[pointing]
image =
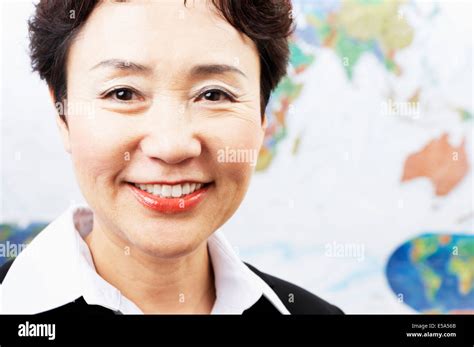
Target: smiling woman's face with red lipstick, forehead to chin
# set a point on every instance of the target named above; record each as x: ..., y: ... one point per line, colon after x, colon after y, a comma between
x: 159, y: 94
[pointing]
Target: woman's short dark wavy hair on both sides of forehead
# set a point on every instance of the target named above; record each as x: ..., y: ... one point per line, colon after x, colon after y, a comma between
x: 268, y: 23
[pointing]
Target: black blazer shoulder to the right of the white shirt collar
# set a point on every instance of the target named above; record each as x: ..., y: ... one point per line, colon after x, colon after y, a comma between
x: 296, y: 299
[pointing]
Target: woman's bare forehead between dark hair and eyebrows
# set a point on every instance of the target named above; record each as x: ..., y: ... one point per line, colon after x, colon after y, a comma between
x: 165, y: 33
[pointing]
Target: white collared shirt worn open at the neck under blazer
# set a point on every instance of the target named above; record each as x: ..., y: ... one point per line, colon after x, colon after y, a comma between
x: 57, y: 268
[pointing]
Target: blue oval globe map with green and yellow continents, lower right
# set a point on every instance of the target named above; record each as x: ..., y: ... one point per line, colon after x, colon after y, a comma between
x: 435, y: 273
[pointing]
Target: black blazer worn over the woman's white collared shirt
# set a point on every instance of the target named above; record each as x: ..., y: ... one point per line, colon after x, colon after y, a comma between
x: 296, y: 299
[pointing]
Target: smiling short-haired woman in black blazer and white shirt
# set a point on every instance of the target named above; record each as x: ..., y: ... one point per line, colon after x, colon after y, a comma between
x: 149, y: 95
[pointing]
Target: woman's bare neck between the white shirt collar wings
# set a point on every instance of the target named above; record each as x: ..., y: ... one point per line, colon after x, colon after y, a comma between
x: 156, y: 285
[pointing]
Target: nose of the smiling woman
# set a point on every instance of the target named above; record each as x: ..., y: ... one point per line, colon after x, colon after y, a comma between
x: 170, y: 135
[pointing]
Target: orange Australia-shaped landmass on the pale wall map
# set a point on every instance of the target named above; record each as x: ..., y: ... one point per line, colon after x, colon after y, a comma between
x: 443, y: 164
